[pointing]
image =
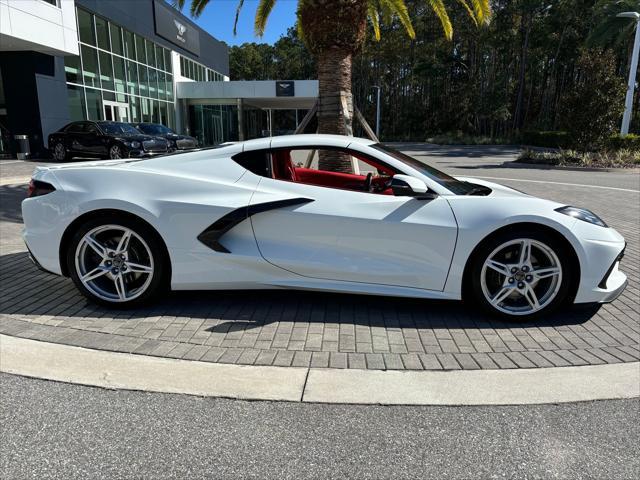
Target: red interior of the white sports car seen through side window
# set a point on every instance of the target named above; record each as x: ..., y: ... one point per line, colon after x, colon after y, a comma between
x: 283, y: 169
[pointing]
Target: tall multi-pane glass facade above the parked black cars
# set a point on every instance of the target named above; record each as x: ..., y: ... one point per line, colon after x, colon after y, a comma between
x: 119, y: 75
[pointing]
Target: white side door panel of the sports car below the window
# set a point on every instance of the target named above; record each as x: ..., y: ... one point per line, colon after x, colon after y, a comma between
x: 356, y: 236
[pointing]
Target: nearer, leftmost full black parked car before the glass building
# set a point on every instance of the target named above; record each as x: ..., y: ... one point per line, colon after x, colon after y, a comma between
x: 103, y: 140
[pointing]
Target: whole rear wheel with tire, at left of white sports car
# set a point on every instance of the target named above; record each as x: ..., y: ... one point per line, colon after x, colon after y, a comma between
x: 117, y: 262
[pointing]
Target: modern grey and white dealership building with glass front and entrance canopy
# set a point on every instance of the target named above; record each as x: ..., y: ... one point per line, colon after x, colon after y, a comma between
x: 133, y: 61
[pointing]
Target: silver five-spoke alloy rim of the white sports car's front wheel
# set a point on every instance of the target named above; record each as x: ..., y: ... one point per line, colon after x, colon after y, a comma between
x: 521, y: 276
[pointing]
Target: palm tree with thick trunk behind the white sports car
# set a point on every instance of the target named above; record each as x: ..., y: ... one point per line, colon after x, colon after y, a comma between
x: 333, y: 31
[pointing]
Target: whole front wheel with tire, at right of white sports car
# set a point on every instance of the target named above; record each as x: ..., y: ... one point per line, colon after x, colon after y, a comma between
x: 521, y: 275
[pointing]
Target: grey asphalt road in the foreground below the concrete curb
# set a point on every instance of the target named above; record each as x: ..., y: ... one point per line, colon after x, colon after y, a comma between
x: 55, y: 430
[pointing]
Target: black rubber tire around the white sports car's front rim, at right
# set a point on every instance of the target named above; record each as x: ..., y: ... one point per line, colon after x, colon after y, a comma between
x: 474, y: 295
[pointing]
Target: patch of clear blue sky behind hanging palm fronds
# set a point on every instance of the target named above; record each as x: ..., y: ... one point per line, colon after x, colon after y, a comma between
x: 217, y: 19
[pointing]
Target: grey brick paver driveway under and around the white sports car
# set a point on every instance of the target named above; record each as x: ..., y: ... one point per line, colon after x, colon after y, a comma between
x: 343, y: 331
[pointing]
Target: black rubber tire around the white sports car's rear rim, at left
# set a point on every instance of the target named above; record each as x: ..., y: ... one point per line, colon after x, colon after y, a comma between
x: 159, y: 282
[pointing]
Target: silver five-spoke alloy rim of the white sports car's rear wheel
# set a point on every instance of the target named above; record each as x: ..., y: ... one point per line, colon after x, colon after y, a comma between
x: 114, y: 263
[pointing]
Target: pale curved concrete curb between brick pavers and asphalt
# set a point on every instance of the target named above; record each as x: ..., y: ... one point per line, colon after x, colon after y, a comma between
x: 482, y: 387
